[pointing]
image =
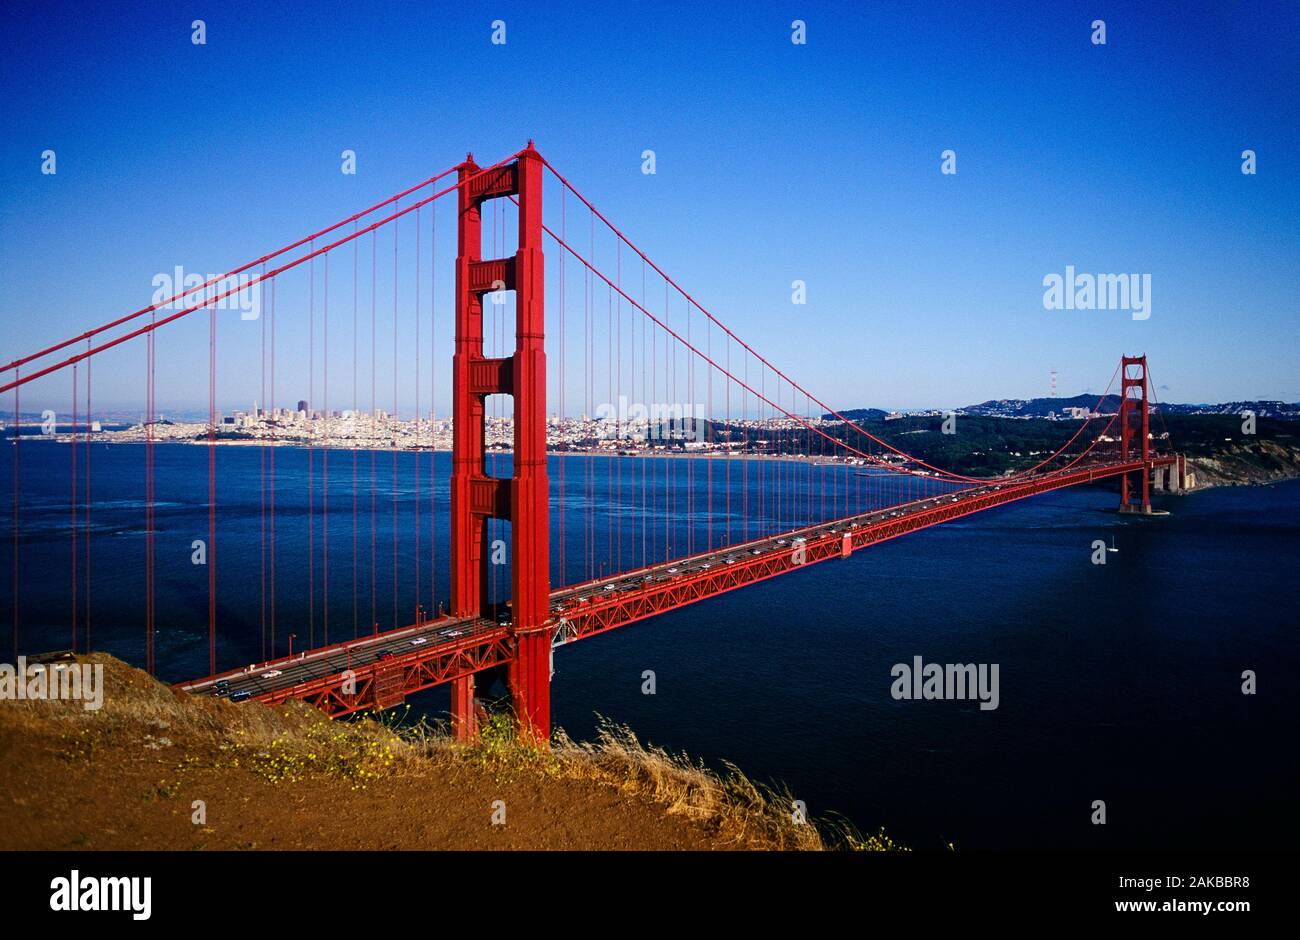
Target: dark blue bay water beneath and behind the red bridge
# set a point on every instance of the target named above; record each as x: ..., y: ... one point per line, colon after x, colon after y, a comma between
x: 1117, y: 683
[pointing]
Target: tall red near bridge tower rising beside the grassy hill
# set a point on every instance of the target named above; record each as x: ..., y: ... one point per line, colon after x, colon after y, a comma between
x: 522, y: 499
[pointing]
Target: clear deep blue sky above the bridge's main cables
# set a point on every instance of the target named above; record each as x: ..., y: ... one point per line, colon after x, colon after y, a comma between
x: 775, y: 162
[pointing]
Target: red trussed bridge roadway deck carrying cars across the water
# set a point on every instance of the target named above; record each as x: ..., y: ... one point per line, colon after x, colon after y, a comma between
x: 380, y: 670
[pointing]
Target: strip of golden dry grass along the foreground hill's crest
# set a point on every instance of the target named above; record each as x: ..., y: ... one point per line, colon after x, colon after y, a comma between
x: 294, y: 742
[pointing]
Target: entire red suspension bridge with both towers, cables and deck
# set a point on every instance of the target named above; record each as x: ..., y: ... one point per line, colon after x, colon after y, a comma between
x: 722, y: 474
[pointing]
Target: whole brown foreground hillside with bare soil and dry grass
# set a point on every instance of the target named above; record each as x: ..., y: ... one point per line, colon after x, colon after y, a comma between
x: 128, y: 777
